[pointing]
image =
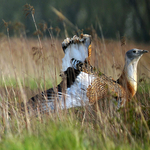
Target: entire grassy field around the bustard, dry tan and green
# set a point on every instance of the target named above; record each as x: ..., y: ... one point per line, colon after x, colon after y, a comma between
x: 26, y: 69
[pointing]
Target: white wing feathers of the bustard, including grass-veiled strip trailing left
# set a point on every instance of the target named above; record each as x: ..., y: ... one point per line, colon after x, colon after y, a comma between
x: 74, y: 96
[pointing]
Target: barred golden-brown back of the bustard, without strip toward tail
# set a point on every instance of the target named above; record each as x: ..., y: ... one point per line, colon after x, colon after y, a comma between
x: 105, y: 87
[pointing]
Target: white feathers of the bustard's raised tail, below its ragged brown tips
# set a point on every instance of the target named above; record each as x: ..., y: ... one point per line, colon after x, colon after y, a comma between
x: 77, y: 51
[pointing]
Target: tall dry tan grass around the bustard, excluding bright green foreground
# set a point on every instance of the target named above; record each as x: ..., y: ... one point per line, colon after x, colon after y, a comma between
x: 22, y: 76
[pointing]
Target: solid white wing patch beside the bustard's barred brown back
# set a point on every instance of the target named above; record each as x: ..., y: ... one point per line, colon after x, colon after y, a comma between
x: 76, y: 94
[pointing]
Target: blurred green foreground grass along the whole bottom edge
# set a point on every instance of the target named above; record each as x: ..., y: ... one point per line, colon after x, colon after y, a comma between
x: 63, y: 135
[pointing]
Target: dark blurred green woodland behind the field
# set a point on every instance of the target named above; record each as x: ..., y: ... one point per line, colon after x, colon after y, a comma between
x: 110, y: 18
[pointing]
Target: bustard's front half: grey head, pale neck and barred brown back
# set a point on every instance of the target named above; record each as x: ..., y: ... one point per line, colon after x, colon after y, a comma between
x: 124, y: 88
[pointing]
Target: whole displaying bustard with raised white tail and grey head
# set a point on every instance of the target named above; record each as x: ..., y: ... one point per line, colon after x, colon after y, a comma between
x: 80, y: 86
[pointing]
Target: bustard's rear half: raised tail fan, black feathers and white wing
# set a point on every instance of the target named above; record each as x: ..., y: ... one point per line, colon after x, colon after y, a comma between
x: 74, y: 82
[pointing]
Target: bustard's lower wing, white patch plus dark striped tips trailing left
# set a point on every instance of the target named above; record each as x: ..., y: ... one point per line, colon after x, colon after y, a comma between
x: 73, y: 96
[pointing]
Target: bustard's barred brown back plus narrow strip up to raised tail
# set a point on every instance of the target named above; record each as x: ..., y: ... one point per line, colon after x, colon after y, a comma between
x: 102, y: 86
